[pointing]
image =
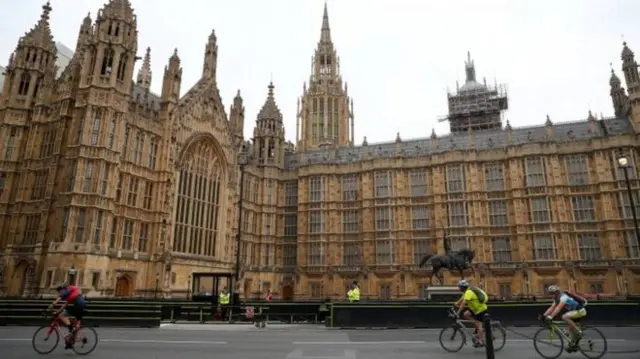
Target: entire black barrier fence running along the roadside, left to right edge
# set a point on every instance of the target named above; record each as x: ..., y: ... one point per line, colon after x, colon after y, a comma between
x: 400, y: 314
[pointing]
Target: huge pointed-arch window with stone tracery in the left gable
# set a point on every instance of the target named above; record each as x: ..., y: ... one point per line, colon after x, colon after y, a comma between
x: 199, y: 201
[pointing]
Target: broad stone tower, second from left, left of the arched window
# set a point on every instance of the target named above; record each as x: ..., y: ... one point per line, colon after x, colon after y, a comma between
x: 92, y: 184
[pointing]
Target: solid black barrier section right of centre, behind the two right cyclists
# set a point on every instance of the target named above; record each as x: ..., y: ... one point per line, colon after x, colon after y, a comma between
x: 434, y: 315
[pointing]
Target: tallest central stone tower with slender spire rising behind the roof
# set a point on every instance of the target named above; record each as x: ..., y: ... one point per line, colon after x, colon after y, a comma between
x: 325, y: 111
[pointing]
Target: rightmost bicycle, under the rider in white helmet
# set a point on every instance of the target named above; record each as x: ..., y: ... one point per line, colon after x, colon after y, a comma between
x: 557, y: 336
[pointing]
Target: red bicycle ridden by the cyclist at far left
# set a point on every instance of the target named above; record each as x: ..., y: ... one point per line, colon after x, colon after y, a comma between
x: 86, y: 336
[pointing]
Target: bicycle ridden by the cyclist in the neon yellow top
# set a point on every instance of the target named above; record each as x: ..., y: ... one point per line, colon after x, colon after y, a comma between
x: 460, y: 327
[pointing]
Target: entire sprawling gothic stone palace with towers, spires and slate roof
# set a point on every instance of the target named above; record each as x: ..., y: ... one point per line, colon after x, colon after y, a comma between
x: 102, y: 176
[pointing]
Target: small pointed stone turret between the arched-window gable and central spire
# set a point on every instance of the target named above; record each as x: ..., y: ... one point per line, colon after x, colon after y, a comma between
x: 268, y: 135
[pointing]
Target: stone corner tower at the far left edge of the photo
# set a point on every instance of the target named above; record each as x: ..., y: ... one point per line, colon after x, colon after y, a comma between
x: 29, y: 77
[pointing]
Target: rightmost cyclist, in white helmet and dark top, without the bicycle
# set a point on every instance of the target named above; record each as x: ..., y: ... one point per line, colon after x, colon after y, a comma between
x: 572, y: 306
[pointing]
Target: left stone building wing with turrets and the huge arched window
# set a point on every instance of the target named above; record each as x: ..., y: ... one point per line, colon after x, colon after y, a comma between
x: 129, y: 190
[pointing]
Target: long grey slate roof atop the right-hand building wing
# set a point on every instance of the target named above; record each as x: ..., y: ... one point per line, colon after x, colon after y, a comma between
x: 563, y: 132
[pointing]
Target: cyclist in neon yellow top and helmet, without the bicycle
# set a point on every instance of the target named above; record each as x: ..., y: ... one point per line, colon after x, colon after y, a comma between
x: 474, y: 300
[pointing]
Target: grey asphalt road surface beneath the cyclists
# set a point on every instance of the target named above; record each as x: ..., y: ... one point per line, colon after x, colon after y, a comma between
x: 193, y: 341
